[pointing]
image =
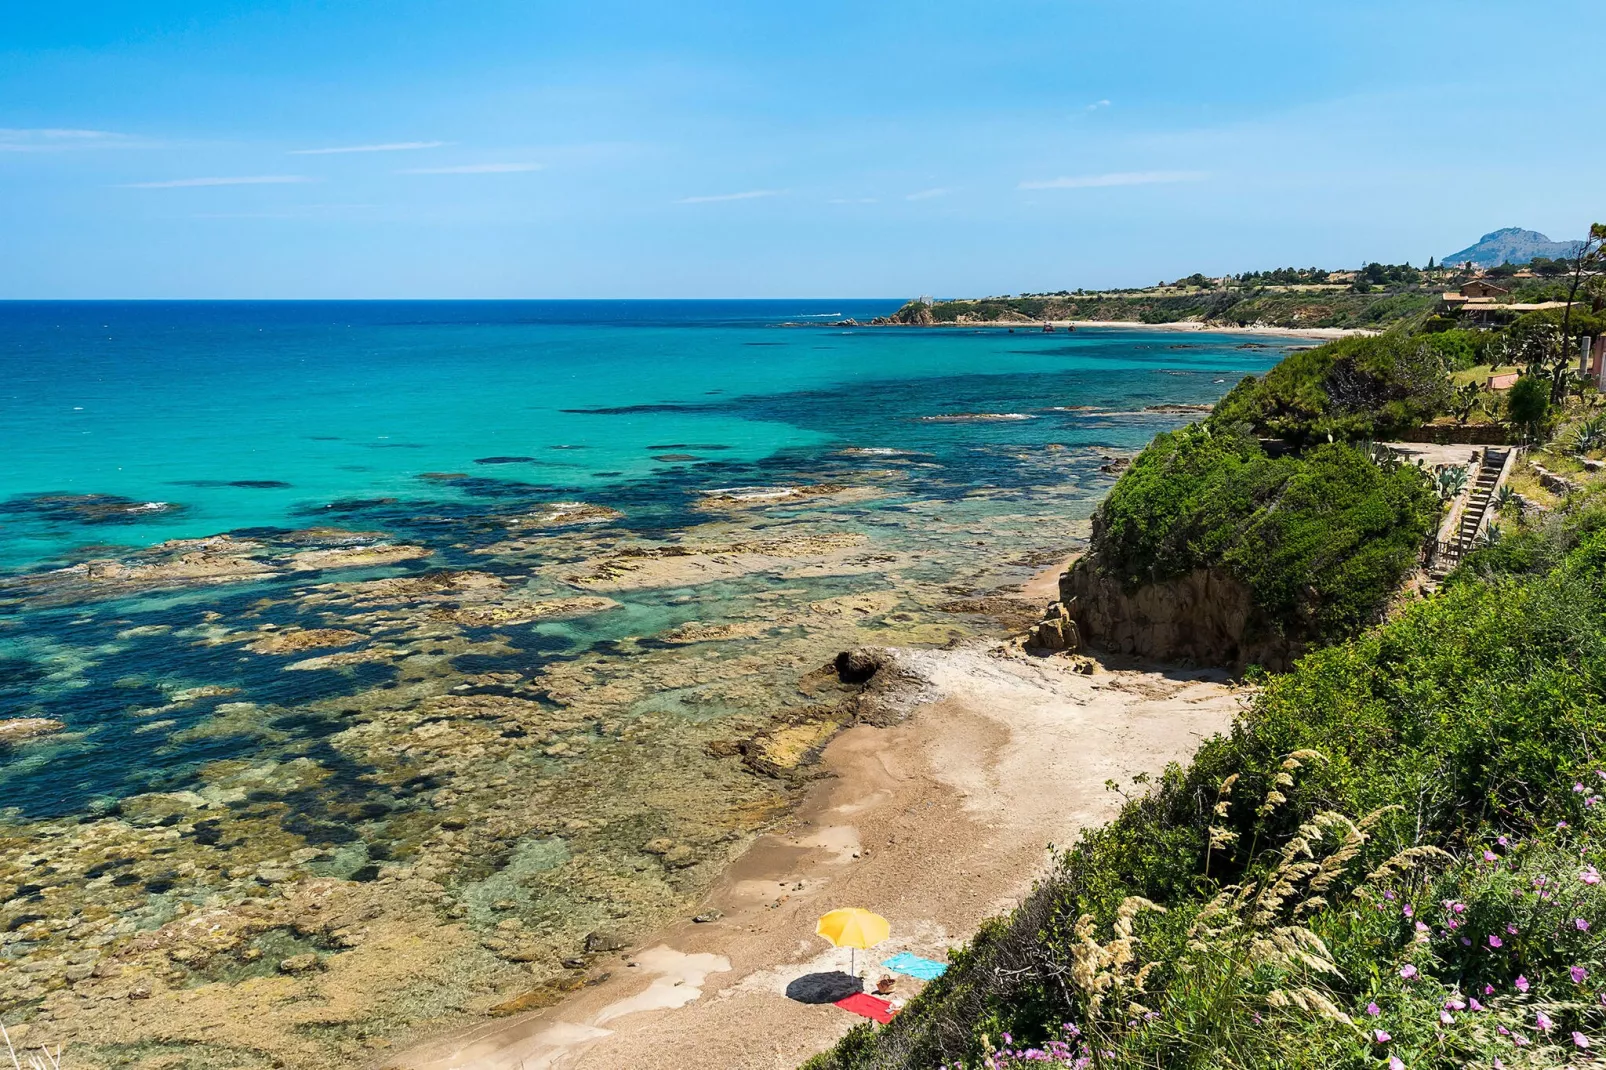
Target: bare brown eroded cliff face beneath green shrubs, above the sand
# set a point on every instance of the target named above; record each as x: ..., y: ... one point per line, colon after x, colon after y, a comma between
x: 1204, y: 619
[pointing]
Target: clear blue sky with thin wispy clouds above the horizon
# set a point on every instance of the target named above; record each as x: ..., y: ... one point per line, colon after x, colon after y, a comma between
x: 523, y: 149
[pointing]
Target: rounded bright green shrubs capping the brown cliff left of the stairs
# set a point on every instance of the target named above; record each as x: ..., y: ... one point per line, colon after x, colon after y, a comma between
x: 1321, y: 541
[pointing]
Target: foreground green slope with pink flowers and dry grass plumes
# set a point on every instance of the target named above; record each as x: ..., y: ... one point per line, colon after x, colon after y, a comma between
x: 1393, y: 860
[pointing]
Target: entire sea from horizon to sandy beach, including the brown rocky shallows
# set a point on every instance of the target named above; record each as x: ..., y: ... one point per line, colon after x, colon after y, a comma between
x: 420, y: 688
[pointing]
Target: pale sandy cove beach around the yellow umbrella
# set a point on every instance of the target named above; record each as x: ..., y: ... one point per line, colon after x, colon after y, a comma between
x: 937, y: 823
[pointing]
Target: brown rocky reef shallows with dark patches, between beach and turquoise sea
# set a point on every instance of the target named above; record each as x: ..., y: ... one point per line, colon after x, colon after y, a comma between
x: 338, y: 786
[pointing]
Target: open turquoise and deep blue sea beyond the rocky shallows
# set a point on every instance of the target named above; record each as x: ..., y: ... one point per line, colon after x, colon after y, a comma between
x: 238, y: 415
